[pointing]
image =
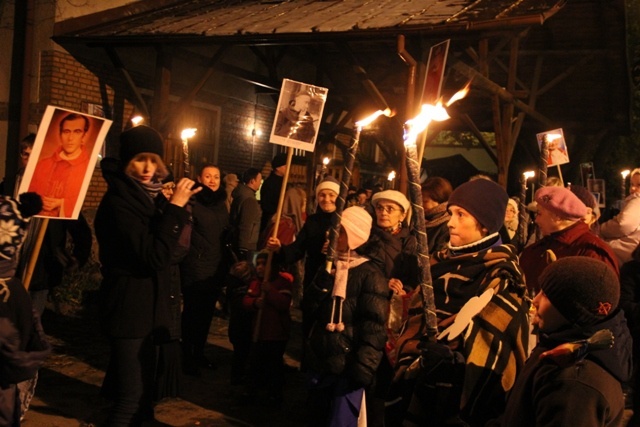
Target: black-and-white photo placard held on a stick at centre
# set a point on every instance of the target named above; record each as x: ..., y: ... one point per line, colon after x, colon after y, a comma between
x: 298, y: 116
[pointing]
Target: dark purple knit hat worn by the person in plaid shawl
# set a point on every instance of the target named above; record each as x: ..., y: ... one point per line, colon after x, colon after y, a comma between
x: 484, y: 199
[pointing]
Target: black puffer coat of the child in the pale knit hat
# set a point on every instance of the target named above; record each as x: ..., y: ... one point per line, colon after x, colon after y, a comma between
x: 356, y: 352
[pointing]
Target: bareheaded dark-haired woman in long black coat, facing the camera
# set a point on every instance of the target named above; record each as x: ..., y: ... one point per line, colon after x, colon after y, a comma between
x: 204, y: 269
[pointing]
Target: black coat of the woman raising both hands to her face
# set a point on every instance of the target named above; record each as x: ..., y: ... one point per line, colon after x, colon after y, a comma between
x: 137, y: 236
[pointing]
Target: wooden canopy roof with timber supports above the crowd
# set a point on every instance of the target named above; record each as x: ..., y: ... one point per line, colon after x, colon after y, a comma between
x: 534, y: 64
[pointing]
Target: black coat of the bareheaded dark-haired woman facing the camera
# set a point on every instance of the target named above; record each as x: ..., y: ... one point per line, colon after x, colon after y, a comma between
x: 205, y: 259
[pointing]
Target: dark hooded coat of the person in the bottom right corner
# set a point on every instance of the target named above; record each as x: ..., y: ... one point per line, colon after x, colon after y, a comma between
x: 585, y: 393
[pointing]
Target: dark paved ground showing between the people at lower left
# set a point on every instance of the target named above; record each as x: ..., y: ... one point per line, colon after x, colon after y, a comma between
x: 67, y: 394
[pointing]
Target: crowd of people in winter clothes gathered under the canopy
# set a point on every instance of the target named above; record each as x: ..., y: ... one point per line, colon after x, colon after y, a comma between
x: 495, y: 328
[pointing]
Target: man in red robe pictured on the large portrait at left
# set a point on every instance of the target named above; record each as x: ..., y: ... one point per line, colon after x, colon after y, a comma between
x: 58, y: 178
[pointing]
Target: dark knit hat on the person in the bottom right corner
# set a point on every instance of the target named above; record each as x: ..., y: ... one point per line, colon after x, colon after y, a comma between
x: 583, y: 289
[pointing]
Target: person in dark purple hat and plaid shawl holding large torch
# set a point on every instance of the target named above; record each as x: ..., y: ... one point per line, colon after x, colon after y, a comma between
x: 482, y: 312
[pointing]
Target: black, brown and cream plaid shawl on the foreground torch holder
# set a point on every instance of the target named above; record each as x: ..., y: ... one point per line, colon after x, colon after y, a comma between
x: 494, y: 345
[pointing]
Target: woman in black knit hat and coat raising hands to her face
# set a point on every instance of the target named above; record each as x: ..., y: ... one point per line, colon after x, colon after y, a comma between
x: 137, y: 231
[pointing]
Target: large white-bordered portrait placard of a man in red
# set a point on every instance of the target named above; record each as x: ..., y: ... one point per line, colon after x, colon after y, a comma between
x: 62, y: 160
